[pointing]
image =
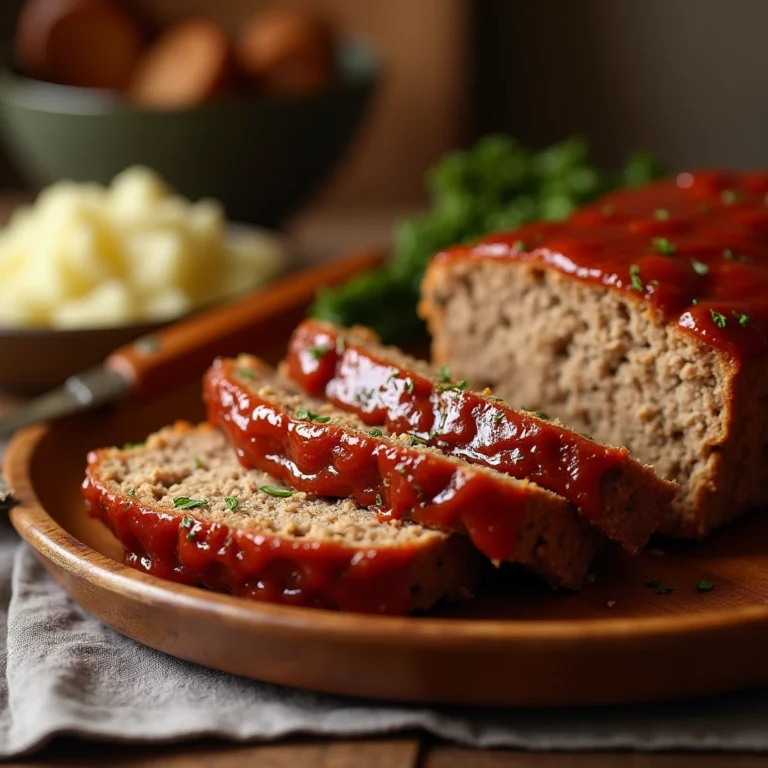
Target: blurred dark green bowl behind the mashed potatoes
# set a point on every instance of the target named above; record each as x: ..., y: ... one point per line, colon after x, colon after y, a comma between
x: 261, y: 157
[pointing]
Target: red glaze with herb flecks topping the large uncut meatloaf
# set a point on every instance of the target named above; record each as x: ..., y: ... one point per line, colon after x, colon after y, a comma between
x: 718, y: 225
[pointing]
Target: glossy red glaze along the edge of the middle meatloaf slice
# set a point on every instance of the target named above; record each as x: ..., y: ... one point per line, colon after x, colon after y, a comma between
x: 330, y: 460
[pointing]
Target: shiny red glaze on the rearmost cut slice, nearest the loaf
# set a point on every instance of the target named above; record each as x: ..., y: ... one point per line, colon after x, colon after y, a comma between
x: 478, y: 428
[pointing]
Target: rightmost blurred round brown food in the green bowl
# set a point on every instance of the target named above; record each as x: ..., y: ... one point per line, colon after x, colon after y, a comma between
x: 286, y: 52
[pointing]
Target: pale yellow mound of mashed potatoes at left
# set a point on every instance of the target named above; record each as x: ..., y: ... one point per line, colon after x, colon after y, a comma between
x: 84, y: 256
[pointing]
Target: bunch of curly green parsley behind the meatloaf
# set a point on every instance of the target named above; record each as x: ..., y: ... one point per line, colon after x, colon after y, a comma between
x: 496, y: 185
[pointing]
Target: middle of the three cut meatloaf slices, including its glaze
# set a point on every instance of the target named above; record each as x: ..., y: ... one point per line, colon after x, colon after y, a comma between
x: 310, y: 445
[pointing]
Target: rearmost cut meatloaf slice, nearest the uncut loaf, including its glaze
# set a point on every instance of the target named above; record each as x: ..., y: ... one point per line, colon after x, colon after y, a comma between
x: 623, y: 499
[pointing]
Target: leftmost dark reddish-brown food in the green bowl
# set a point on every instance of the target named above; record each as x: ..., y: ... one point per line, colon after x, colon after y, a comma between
x: 88, y: 43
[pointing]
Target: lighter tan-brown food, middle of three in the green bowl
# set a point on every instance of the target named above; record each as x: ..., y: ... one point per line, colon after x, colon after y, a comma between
x: 187, y: 65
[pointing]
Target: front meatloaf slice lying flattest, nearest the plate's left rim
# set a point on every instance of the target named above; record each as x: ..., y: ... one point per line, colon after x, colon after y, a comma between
x: 185, y: 509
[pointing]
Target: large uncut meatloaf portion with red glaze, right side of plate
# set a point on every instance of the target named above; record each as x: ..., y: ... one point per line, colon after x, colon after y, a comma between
x: 642, y: 321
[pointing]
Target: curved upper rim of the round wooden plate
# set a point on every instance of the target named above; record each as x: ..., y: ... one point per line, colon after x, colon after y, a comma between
x: 35, y: 525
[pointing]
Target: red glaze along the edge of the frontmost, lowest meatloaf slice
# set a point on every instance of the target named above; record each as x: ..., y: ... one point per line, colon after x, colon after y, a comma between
x: 253, y: 565
